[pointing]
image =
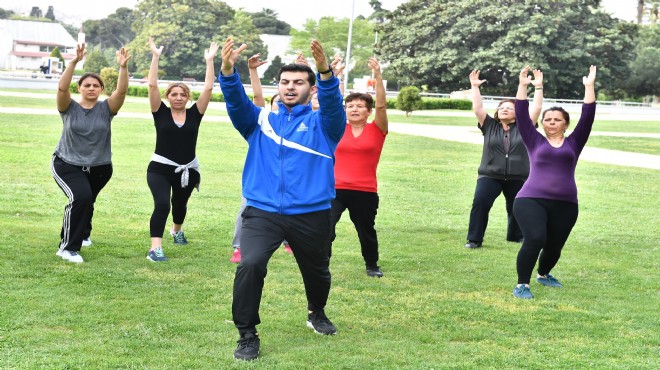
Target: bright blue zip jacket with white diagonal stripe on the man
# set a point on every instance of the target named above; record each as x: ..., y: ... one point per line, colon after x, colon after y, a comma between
x: 289, y: 168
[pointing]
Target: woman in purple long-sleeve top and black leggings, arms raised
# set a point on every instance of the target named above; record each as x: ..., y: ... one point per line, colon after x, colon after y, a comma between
x: 547, y: 207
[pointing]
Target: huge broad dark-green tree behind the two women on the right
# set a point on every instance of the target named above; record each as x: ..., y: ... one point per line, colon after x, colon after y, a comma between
x: 435, y: 43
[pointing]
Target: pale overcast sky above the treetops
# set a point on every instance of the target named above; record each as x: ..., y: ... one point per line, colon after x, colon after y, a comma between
x: 294, y: 12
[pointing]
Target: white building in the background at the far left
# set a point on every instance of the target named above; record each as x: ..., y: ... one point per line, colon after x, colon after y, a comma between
x: 24, y: 44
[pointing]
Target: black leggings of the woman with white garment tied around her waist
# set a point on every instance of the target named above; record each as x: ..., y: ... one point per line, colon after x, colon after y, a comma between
x: 160, y: 185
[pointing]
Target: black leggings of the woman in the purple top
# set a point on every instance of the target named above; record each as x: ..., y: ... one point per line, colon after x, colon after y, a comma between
x: 546, y: 225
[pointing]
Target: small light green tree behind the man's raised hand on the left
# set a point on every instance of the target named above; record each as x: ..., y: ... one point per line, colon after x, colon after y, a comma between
x: 243, y: 31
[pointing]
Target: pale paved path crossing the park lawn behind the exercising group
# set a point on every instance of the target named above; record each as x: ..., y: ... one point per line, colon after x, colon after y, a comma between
x: 463, y: 134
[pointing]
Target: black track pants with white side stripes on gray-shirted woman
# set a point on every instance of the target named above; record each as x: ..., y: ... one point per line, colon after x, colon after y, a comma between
x: 81, y: 185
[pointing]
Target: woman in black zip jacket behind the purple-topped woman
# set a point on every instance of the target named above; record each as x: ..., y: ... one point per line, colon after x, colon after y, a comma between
x: 504, y: 163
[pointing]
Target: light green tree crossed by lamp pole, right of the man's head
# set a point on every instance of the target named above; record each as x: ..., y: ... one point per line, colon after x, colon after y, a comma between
x: 333, y: 35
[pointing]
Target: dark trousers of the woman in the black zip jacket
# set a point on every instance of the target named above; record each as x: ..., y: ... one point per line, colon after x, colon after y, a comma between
x: 488, y: 189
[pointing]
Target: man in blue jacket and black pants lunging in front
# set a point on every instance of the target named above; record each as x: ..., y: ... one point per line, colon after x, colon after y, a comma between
x: 288, y: 181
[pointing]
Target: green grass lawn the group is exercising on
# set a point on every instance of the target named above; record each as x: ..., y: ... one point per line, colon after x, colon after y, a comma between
x: 438, y: 306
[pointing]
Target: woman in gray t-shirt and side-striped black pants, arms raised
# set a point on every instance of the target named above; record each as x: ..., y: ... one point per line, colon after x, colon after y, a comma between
x: 82, y: 164
